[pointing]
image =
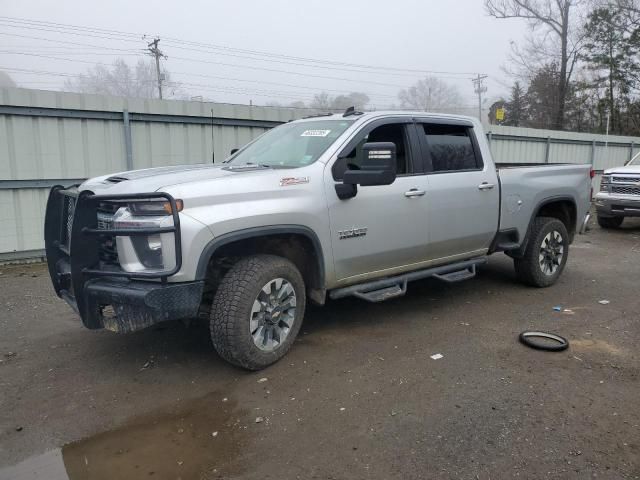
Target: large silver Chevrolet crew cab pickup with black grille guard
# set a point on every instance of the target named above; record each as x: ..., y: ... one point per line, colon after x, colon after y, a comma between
x: 351, y: 204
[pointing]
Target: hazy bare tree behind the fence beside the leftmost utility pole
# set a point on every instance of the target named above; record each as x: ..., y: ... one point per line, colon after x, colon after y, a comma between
x: 124, y: 81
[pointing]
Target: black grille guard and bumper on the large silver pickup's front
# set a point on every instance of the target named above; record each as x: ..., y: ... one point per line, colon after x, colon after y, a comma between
x: 104, y: 295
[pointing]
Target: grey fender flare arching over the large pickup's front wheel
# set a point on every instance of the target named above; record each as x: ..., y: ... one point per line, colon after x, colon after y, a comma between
x: 254, y: 232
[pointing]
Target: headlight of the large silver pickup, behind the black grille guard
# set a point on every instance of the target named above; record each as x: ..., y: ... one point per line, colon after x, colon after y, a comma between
x: 146, y: 252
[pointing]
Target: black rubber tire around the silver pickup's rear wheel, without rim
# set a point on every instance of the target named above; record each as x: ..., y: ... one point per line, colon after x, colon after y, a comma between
x: 528, y: 268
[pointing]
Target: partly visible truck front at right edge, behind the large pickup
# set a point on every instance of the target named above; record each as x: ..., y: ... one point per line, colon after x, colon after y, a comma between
x: 619, y: 194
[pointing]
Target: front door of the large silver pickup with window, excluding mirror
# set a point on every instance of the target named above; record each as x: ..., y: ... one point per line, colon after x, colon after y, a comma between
x: 383, y: 229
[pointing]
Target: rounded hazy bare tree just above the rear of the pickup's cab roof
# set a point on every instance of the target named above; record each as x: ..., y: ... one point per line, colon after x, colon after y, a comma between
x: 431, y: 94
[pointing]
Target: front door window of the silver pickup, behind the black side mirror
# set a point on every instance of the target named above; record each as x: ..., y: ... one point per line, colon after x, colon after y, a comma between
x: 391, y: 132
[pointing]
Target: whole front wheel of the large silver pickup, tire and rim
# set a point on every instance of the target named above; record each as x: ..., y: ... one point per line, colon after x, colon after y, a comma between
x: 241, y: 303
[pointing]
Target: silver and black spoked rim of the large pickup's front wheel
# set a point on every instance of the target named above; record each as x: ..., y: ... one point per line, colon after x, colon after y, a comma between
x: 273, y: 314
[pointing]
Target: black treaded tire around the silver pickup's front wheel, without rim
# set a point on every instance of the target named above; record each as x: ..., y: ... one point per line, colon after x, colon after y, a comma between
x: 231, y: 311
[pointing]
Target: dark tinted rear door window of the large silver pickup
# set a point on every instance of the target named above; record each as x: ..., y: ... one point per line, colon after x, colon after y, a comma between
x: 451, y: 148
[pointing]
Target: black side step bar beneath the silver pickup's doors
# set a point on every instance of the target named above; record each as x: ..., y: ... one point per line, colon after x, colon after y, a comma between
x: 391, y: 287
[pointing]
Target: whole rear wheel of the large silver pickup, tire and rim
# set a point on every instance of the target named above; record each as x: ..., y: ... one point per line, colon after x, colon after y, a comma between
x: 532, y: 269
